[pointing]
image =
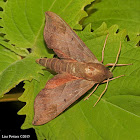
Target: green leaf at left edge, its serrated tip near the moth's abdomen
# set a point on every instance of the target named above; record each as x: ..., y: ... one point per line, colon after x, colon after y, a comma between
x: 24, y: 69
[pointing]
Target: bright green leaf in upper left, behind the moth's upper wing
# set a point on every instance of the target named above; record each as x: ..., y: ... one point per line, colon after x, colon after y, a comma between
x: 23, y: 21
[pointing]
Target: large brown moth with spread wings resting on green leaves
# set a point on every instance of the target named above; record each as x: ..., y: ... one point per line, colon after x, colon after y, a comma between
x: 78, y: 70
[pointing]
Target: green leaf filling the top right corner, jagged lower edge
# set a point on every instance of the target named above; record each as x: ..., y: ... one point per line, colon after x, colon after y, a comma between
x: 124, y: 13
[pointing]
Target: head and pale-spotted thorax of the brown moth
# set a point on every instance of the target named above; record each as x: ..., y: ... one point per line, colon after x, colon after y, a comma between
x: 97, y: 72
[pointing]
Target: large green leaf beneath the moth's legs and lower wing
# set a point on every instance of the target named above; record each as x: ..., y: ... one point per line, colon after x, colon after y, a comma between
x: 117, y: 112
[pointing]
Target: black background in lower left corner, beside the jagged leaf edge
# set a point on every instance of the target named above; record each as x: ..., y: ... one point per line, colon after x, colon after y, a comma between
x: 10, y: 122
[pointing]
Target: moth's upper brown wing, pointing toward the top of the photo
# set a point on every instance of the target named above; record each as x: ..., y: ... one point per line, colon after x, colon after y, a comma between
x: 64, y: 41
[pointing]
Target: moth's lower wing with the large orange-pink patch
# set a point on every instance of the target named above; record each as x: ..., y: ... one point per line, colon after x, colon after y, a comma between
x: 59, y: 93
